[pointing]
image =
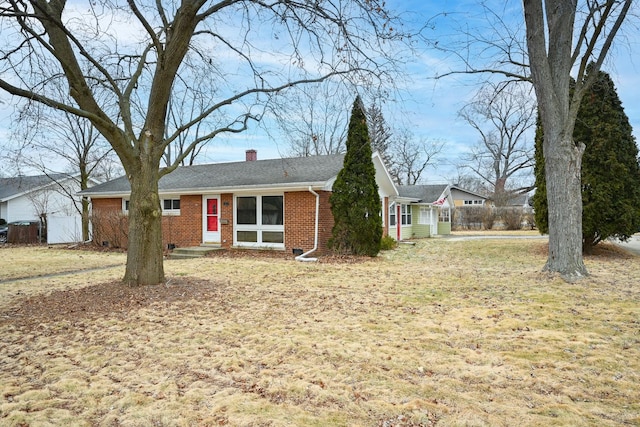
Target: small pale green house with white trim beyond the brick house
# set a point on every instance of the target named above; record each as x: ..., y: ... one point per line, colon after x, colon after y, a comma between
x: 420, y: 211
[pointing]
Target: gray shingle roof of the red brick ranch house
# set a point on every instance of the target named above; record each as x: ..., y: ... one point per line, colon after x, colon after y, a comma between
x: 275, y: 172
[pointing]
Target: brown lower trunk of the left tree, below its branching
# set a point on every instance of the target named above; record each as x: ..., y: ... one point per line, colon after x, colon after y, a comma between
x: 144, y: 253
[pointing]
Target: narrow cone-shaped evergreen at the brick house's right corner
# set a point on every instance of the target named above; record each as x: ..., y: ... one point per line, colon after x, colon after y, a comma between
x: 355, y: 202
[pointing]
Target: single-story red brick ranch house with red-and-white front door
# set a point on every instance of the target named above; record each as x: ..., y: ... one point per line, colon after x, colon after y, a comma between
x: 278, y: 204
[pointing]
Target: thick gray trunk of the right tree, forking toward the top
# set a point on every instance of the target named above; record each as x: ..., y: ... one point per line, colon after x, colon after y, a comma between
x: 550, y: 73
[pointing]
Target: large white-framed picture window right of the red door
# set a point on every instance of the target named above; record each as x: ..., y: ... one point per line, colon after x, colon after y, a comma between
x: 259, y: 221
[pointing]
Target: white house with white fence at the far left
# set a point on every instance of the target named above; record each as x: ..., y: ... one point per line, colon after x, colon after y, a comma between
x: 28, y: 198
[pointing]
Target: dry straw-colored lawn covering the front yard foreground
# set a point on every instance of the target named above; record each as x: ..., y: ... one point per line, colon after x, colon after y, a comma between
x: 443, y: 333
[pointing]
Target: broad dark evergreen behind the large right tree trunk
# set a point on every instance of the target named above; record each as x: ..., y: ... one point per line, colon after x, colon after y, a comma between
x: 610, y: 170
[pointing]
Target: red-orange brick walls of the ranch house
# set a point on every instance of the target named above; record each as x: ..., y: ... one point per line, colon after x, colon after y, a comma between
x: 110, y: 224
